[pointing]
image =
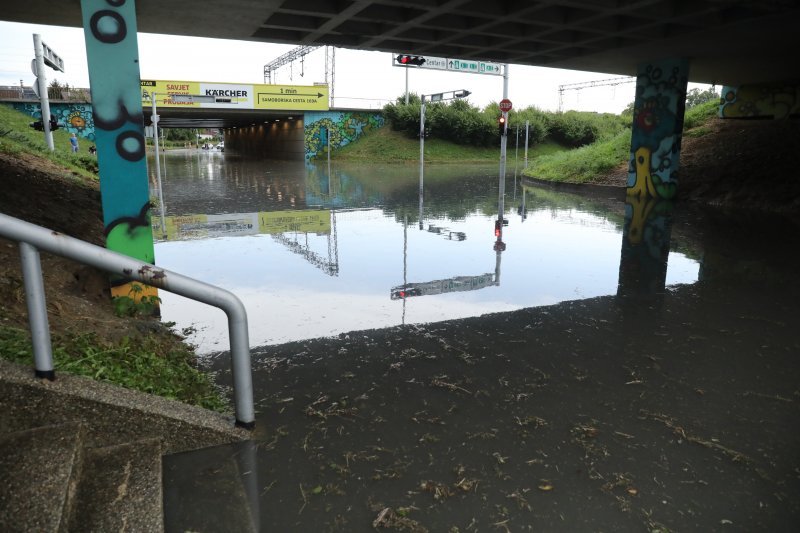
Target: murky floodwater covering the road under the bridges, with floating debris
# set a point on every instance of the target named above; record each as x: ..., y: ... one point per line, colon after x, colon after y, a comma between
x: 595, y: 366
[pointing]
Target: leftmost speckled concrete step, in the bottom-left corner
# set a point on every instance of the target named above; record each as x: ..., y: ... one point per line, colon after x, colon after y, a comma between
x: 39, y: 469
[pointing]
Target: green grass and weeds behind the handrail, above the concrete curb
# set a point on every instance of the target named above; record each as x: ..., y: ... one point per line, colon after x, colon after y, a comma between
x: 154, y: 364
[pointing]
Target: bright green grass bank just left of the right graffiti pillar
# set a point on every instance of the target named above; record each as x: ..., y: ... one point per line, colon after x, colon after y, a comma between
x: 582, y: 165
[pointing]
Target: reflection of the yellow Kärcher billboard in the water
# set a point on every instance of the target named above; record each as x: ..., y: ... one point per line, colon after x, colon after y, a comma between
x: 184, y: 227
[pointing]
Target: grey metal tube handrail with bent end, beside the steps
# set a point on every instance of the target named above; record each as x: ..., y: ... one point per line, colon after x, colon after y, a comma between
x: 33, y: 238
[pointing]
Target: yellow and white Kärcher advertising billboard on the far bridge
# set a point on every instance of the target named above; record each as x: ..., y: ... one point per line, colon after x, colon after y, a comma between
x: 234, y: 95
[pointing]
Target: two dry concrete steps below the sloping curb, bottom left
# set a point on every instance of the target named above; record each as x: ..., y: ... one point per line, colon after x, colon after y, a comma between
x: 54, y: 482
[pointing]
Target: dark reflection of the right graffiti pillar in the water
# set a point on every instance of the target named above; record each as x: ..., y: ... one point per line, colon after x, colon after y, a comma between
x: 645, y: 247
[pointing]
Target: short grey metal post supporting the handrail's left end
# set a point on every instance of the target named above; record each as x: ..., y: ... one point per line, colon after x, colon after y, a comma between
x: 37, y: 311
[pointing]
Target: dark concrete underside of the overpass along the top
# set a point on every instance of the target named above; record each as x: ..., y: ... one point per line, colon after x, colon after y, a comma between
x: 726, y: 42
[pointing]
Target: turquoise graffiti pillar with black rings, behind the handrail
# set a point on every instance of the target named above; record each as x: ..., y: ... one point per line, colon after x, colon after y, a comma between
x: 109, y: 28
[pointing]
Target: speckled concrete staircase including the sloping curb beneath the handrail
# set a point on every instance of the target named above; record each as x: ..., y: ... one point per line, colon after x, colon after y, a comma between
x: 79, y: 455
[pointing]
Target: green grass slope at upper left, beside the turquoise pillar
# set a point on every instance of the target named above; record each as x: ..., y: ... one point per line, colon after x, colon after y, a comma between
x: 16, y: 136
